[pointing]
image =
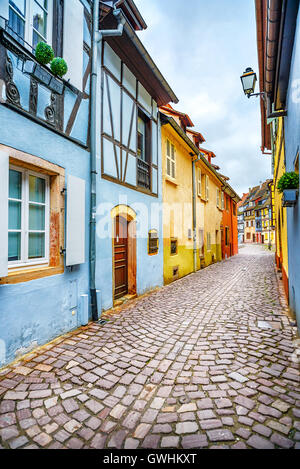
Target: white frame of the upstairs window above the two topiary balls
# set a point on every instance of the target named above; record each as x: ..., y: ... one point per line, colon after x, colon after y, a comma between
x: 28, y: 20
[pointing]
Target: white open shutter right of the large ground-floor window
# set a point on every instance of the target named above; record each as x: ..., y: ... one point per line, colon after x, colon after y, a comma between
x: 75, y: 243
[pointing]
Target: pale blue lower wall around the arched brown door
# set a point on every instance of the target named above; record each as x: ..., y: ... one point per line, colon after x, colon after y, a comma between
x: 149, y: 268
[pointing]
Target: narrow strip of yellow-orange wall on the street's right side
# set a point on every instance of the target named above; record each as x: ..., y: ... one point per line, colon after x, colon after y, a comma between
x: 280, y: 212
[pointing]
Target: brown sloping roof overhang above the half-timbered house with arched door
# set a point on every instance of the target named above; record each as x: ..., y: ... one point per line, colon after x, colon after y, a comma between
x: 132, y: 52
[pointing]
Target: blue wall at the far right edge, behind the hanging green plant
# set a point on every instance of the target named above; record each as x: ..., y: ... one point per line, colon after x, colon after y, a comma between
x: 292, y: 147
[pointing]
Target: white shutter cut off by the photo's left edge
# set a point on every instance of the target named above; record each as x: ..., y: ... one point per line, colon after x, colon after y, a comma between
x: 4, y: 162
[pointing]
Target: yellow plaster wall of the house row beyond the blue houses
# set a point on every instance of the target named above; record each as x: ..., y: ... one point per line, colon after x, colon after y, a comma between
x: 178, y: 211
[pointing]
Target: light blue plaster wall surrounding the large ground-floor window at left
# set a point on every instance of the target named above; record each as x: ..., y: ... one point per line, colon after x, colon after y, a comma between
x: 35, y: 312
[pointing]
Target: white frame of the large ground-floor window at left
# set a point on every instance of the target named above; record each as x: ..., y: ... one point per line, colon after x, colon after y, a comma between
x: 24, y: 261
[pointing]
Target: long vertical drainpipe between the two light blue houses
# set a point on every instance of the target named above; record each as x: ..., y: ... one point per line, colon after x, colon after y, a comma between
x: 97, y: 39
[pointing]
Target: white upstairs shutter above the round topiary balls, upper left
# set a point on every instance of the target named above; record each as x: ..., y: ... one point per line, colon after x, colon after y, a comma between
x: 73, y: 41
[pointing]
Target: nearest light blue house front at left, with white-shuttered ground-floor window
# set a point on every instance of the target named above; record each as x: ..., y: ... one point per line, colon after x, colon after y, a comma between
x: 44, y: 172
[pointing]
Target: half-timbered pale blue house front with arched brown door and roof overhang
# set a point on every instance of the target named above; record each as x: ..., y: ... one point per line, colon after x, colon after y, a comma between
x: 129, y: 245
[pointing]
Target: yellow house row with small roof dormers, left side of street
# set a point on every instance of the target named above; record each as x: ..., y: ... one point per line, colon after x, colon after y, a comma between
x: 193, y: 201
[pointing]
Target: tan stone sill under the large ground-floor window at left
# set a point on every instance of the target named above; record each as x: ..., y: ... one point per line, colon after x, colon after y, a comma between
x: 26, y: 275
